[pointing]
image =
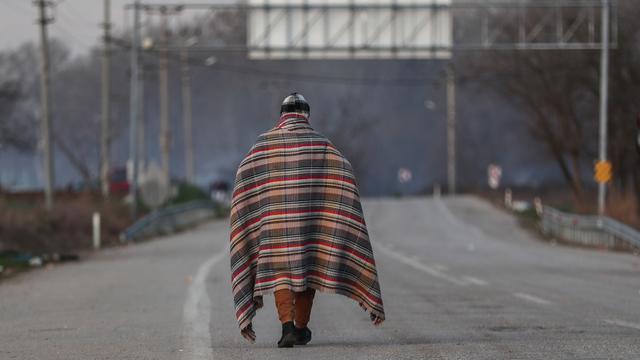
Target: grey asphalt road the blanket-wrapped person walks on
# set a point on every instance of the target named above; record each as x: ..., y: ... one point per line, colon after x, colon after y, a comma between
x: 459, y: 279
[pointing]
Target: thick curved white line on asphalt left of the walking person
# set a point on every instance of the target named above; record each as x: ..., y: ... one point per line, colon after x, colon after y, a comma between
x: 197, y: 312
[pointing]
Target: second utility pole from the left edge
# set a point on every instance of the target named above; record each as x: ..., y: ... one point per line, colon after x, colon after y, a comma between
x: 105, y: 136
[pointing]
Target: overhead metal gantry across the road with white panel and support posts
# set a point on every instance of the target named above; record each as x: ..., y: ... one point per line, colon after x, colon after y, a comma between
x: 411, y: 29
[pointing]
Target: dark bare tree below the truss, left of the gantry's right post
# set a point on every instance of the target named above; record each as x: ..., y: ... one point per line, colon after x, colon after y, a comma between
x: 554, y: 89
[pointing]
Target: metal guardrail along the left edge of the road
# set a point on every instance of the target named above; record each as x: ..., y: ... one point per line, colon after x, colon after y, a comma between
x: 168, y: 220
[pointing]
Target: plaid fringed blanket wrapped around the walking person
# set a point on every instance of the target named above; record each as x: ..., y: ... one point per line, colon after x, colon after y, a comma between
x: 297, y: 223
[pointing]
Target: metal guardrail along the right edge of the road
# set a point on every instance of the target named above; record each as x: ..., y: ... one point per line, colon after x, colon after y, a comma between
x: 588, y: 229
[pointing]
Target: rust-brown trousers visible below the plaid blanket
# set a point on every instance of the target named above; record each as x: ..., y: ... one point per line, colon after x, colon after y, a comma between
x: 294, y: 306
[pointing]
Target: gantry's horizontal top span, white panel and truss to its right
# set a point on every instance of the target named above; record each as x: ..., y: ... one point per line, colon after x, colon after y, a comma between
x: 412, y: 30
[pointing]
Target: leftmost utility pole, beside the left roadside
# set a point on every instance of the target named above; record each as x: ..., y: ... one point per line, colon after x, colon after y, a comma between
x: 45, y: 98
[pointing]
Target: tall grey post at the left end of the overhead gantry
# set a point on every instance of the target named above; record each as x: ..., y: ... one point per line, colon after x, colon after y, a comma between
x: 134, y: 108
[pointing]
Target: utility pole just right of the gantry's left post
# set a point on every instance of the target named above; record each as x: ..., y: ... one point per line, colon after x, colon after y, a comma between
x: 163, y: 68
